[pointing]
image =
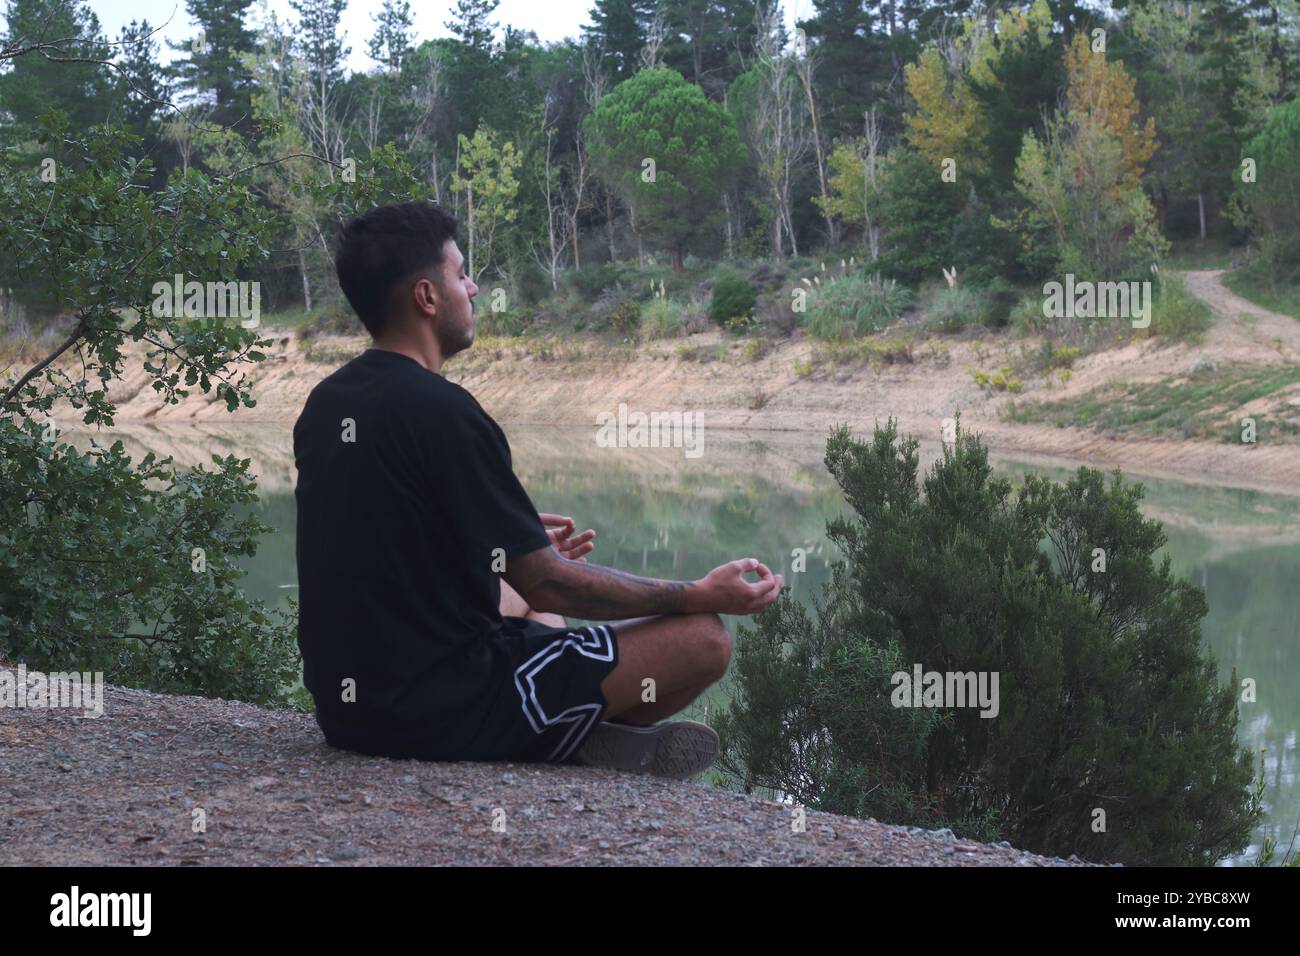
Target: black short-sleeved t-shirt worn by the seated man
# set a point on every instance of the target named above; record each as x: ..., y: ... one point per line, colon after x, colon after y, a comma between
x: 405, y: 495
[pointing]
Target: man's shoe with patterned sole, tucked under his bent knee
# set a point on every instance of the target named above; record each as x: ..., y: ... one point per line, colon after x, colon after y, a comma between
x: 681, y: 750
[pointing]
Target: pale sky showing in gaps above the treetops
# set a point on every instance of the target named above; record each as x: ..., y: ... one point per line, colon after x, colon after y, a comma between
x: 551, y: 20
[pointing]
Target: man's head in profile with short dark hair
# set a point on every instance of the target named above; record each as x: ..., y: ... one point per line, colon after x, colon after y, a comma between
x: 401, y: 269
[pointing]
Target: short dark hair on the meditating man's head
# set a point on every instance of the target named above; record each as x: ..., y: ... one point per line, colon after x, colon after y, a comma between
x: 380, y: 249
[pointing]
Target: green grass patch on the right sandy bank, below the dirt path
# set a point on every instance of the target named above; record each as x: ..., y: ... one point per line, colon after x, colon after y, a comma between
x: 1204, y: 405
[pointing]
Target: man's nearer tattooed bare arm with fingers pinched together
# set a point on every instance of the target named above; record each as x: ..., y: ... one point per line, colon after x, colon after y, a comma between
x: 552, y: 583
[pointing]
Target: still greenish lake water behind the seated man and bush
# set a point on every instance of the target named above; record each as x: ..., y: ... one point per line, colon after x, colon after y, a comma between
x: 662, y: 514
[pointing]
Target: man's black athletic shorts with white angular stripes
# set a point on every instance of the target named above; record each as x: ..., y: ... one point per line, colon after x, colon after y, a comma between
x: 554, y: 699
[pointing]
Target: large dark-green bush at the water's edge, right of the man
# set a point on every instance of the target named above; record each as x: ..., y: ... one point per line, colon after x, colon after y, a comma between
x: 1106, y: 698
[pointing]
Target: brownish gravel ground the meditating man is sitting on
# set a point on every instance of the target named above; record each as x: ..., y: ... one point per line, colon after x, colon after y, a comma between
x: 125, y: 789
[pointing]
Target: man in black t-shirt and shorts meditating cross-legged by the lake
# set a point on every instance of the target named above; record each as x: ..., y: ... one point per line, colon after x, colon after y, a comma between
x: 431, y: 590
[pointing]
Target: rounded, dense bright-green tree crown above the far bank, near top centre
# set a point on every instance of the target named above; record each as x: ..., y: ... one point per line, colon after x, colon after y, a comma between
x: 668, y: 152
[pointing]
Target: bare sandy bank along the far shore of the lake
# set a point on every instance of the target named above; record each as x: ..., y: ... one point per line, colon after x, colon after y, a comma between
x: 573, y: 383
